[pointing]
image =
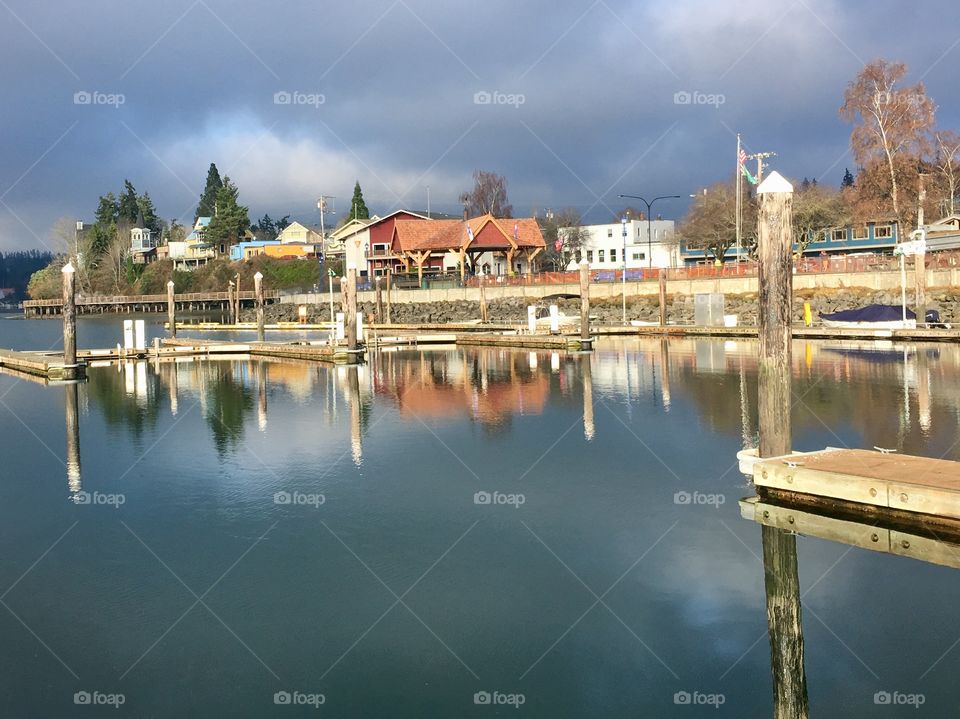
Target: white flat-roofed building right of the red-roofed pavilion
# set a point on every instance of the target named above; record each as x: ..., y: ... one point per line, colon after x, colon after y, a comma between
x: 604, y: 248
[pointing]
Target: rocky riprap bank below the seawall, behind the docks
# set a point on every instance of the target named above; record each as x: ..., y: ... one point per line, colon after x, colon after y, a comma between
x: 680, y: 309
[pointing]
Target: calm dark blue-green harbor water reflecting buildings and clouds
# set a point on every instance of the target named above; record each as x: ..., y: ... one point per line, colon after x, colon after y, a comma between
x: 211, y: 533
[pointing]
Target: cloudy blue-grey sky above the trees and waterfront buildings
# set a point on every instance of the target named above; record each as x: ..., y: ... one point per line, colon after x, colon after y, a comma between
x: 573, y: 102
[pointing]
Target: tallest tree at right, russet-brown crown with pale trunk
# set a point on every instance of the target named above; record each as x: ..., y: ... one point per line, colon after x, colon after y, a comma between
x: 888, y: 121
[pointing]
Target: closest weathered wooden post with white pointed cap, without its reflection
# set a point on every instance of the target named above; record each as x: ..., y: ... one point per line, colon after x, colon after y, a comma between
x: 776, y: 299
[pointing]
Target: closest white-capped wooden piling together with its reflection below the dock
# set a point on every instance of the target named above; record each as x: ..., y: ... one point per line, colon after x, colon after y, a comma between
x: 781, y: 580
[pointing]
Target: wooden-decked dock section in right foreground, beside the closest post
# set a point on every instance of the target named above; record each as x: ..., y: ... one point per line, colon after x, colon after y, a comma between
x: 871, y: 479
